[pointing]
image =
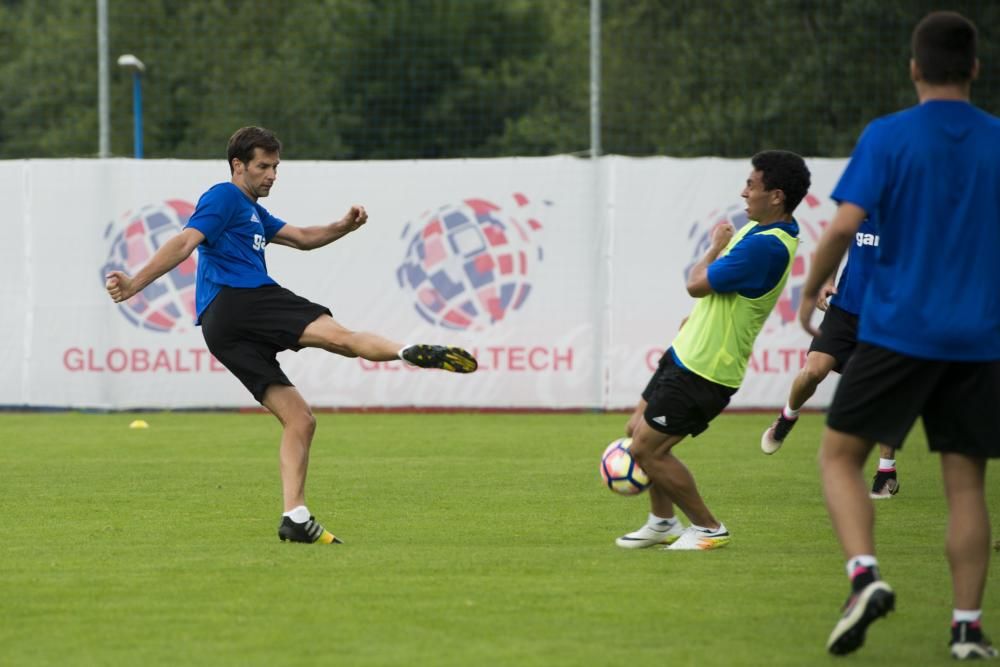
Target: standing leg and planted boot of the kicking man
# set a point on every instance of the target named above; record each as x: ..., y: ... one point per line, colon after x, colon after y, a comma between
x: 298, y: 426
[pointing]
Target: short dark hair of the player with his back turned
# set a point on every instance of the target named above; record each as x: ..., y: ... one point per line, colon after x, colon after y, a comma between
x: 944, y: 48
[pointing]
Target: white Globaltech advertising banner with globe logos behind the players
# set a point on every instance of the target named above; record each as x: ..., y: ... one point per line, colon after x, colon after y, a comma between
x: 565, y: 277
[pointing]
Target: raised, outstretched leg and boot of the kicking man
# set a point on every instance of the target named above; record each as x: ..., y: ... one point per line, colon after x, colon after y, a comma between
x: 328, y: 334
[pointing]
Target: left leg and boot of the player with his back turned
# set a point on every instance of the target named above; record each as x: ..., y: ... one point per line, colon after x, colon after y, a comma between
x: 842, y: 457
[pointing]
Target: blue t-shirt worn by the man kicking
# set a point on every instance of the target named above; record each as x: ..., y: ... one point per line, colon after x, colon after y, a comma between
x: 236, y: 230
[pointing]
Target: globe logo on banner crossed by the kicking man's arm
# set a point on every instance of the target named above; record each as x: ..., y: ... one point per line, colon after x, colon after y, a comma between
x: 168, y: 303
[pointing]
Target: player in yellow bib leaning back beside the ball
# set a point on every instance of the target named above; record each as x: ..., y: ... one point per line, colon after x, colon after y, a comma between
x: 737, y: 283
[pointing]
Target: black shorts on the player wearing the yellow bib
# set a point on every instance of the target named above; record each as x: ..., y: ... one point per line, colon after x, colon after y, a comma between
x: 678, y: 402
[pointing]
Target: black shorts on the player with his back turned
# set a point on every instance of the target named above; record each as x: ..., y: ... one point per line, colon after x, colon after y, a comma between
x: 882, y: 393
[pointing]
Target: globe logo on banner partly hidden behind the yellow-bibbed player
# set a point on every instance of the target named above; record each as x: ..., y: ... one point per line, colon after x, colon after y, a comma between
x: 810, y: 217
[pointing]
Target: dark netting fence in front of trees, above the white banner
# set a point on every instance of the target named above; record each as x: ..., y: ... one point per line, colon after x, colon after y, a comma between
x: 402, y: 79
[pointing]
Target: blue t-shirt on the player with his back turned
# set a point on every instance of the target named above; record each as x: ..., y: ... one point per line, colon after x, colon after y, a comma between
x: 930, y: 175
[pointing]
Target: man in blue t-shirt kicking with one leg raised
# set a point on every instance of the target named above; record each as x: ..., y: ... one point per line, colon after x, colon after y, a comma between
x: 247, y: 318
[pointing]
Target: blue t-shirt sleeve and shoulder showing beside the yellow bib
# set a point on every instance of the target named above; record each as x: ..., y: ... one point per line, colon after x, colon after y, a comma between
x: 755, y: 264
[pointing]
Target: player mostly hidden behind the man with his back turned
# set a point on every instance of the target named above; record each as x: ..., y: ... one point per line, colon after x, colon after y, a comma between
x: 831, y: 350
